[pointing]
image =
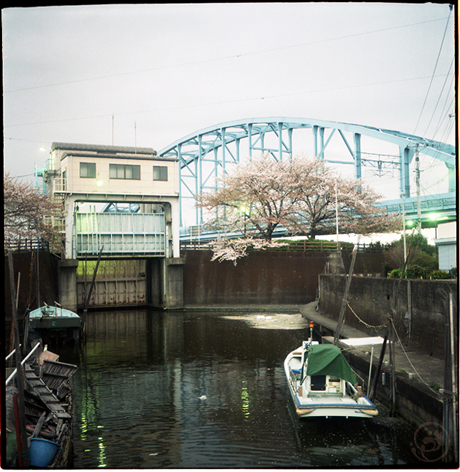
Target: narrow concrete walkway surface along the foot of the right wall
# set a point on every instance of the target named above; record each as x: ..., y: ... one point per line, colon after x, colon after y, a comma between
x: 423, y: 368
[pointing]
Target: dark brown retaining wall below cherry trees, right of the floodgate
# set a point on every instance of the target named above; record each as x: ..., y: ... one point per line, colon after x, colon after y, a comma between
x: 264, y: 277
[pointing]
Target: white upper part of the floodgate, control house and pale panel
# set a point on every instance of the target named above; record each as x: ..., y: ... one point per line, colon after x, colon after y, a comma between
x: 82, y: 173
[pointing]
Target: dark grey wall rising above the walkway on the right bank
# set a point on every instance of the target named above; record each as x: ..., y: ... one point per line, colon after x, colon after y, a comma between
x: 374, y: 299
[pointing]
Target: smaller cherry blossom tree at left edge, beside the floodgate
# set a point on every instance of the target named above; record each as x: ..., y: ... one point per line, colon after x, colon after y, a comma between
x: 27, y: 213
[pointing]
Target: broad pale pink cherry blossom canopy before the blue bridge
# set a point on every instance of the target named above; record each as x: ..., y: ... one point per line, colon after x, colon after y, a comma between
x: 301, y: 194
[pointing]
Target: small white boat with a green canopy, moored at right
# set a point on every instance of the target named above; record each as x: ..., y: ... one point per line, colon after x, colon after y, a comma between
x: 322, y: 383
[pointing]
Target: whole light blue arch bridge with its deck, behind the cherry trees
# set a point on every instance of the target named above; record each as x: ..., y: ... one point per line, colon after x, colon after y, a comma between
x: 206, y: 153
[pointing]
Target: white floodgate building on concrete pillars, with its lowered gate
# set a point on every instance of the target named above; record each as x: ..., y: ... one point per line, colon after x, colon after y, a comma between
x: 119, y: 205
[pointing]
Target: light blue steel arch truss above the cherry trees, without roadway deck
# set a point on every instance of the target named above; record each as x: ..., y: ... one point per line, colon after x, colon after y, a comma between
x: 207, y: 153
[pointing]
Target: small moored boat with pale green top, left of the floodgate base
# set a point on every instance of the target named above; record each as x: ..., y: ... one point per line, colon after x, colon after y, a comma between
x: 54, y: 324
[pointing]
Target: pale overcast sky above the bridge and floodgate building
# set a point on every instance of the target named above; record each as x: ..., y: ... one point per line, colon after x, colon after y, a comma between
x: 164, y: 71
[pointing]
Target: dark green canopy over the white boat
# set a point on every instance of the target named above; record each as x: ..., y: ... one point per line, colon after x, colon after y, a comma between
x: 327, y: 359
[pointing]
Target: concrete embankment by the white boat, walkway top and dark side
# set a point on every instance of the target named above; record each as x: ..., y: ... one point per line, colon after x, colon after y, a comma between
x: 418, y: 377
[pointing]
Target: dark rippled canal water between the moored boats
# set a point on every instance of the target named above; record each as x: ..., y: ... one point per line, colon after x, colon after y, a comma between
x: 203, y: 390
